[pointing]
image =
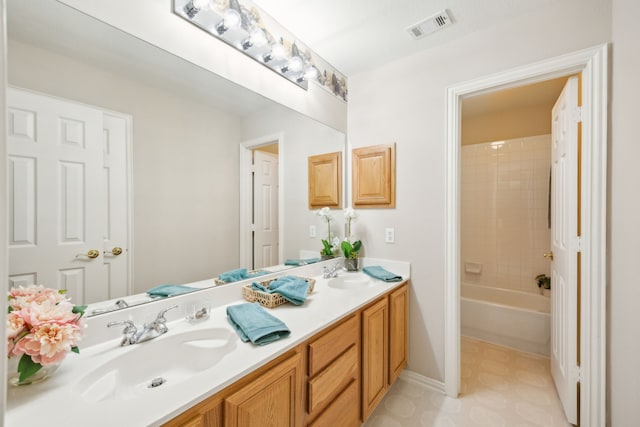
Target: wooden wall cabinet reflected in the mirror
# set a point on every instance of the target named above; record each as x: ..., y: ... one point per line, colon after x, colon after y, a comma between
x: 325, y: 180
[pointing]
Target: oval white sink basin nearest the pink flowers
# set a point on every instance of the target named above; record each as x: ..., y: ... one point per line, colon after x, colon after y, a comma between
x: 156, y: 364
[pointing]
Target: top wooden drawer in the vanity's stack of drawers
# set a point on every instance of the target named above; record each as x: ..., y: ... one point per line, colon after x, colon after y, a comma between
x: 326, y: 348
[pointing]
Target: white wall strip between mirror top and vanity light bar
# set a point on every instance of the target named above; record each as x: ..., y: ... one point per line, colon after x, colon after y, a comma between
x: 154, y: 22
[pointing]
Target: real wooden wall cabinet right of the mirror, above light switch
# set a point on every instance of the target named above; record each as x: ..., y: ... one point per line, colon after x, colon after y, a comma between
x: 374, y: 176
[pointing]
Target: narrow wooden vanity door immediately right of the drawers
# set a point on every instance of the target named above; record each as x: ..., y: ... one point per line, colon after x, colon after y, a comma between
x: 375, y: 351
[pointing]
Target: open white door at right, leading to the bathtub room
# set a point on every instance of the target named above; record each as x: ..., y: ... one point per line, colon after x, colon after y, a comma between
x: 564, y: 245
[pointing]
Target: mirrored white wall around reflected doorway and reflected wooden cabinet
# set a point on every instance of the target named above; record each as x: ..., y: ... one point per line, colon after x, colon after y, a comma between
x: 301, y: 137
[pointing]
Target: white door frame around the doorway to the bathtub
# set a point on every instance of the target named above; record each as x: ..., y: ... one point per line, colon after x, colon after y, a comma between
x: 593, y: 64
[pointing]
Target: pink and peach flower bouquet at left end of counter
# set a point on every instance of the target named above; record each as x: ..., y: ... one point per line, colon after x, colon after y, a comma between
x: 42, y: 327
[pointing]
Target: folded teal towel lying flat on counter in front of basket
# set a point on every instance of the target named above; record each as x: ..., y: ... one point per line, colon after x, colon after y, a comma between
x: 253, y: 323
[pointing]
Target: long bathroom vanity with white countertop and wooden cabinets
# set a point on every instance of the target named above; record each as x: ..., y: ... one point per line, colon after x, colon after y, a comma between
x: 348, y: 344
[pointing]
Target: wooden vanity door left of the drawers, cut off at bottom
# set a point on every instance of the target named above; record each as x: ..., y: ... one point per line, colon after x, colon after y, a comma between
x: 271, y: 400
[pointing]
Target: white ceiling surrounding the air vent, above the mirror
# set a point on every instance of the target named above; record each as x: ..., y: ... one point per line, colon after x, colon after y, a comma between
x: 357, y: 35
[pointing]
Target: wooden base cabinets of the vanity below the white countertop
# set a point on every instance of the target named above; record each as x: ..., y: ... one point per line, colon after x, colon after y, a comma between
x: 335, y: 379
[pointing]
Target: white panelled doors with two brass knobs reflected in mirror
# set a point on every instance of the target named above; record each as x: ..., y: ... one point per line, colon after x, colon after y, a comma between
x: 68, y: 197
